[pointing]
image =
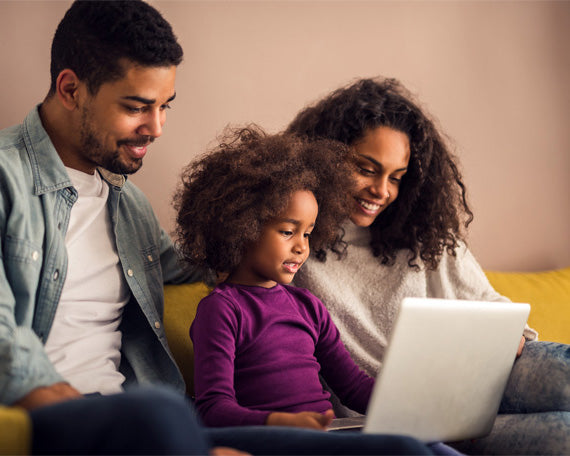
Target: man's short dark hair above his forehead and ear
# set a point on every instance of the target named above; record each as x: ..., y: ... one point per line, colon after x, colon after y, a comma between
x: 94, y: 38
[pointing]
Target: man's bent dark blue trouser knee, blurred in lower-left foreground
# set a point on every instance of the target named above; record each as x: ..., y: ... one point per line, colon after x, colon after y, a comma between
x: 149, y: 421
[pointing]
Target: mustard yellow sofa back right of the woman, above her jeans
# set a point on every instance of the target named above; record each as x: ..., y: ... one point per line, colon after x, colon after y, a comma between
x: 547, y: 292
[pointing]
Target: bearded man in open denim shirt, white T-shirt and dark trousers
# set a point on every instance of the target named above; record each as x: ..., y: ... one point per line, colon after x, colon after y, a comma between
x: 84, y: 259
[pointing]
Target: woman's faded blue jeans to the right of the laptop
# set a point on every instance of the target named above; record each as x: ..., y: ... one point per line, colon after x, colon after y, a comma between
x: 534, y: 416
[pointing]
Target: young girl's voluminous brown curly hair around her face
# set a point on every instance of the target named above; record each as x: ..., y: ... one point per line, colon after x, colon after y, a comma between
x: 228, y: 195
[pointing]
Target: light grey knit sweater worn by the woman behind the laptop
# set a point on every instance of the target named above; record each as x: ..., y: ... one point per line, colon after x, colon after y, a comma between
x: 363, y: 296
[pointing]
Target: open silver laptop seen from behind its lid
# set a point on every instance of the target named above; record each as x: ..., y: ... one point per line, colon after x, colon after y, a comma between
x: 445, y: 370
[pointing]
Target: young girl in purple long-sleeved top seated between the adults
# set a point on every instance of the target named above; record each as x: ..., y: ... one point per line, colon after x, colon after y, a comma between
x: 248, y: 210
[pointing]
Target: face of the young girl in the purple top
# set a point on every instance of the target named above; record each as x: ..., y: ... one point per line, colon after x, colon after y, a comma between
x: 282, y: 247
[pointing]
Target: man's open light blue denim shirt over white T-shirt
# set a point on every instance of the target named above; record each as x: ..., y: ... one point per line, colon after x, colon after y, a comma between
x: 36, y: 197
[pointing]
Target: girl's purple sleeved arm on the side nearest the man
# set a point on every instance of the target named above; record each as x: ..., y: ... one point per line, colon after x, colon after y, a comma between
x: 214, y: 333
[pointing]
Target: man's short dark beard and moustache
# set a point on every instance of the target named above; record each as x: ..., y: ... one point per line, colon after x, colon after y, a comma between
x: 93, y: 149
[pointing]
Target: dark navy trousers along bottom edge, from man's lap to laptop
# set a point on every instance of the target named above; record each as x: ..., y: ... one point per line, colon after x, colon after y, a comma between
x: 159, y: 421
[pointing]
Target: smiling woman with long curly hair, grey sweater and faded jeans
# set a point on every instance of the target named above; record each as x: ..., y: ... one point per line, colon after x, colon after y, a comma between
x: 406, y: 237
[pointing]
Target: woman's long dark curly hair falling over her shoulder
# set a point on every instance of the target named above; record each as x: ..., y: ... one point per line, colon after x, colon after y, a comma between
x: 431, y: 212
